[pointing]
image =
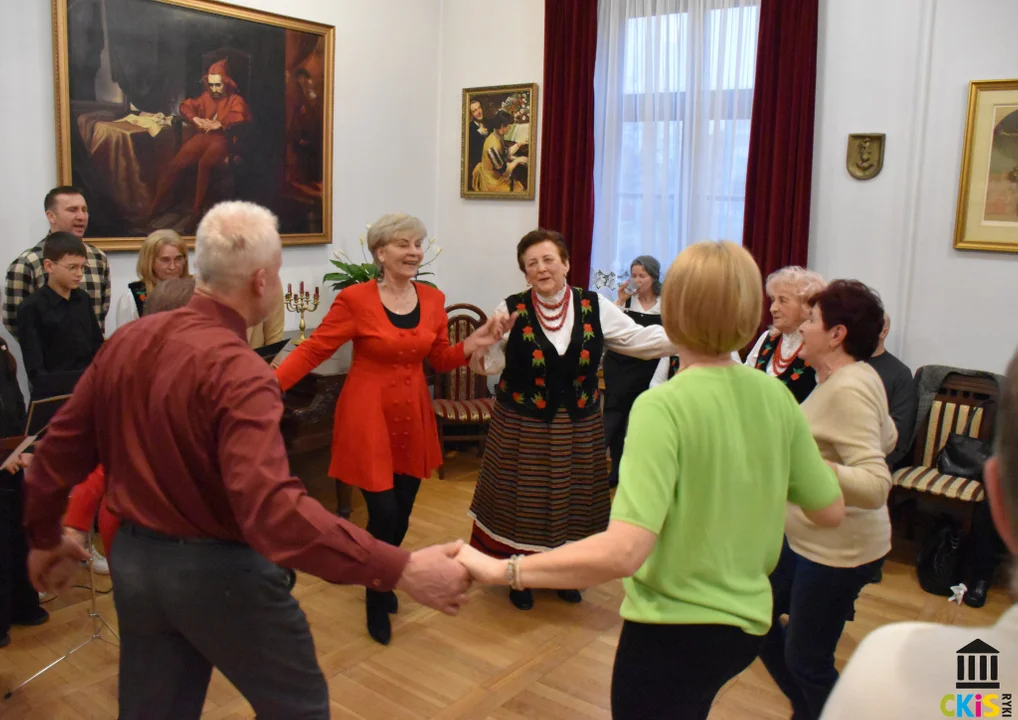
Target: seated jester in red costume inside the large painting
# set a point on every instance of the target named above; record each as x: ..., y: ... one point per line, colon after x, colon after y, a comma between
x: 219, y: 108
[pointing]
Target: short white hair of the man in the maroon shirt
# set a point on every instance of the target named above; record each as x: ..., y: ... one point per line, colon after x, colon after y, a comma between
x: 235, y: 240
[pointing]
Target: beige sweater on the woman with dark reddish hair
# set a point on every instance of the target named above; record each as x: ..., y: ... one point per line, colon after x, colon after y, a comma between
x: 849, y: 416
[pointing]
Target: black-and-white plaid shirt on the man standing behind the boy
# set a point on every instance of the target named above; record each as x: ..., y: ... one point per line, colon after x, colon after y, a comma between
x: 26, y: 275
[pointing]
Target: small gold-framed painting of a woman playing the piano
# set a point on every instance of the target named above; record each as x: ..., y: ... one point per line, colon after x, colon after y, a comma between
x: 499, y: 155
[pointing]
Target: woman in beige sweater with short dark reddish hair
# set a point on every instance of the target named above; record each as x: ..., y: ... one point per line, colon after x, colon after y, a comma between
x: 822, y: 570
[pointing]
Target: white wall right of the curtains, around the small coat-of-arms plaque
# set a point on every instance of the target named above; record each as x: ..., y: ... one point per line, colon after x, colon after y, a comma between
x: 903, y: 69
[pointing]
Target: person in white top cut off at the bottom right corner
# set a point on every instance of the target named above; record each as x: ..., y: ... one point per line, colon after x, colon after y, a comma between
x: 927, y: 671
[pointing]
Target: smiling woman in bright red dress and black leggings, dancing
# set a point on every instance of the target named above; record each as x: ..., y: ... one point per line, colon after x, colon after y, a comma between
x: 386, y: 438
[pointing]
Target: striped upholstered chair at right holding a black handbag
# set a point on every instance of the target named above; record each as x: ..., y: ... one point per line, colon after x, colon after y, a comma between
x: 958, y: 398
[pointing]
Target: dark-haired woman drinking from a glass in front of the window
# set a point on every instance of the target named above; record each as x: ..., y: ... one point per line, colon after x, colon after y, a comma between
x: 627, y: 377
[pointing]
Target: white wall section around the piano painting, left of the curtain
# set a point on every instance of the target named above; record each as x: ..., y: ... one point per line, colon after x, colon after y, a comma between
x: 479, y: 237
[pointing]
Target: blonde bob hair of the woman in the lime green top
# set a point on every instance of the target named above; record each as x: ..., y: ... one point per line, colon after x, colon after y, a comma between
x: 713, y: 299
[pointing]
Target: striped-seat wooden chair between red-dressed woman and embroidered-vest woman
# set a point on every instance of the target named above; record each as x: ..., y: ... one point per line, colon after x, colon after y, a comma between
x: 462, y: 398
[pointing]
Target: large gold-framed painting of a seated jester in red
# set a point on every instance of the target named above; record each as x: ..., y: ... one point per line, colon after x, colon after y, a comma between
x: 166, y: 107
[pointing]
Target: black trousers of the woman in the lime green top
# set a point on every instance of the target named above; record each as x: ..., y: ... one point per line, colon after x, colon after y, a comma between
x: 675, y: 672
